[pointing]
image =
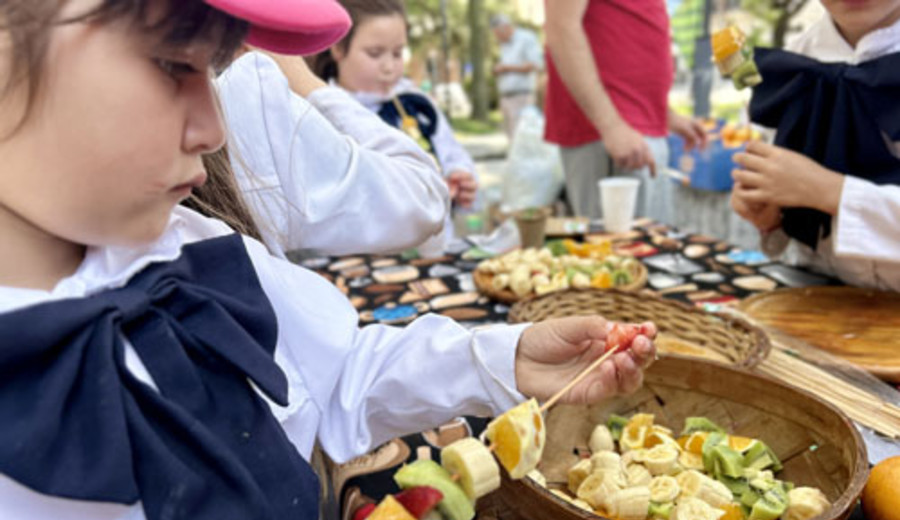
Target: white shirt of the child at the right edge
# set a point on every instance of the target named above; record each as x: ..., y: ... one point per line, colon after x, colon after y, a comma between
x: 864, y: 246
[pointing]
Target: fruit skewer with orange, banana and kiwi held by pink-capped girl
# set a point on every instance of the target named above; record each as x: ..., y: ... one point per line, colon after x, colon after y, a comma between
x: 468, y: 468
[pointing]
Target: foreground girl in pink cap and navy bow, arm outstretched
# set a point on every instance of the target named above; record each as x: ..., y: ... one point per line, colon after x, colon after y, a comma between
x: 155, y: 364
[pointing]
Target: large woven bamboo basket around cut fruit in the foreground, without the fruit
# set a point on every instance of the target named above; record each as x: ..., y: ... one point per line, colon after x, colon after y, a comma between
x: 817, y: 444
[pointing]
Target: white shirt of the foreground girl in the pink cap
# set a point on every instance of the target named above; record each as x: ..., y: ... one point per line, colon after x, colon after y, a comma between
x: 350, y: 388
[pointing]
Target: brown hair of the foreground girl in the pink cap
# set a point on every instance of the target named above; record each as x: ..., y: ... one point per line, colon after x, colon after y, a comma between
x: 27, y: 25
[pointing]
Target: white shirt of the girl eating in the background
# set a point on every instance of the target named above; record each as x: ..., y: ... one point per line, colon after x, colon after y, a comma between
x: 450, y: 154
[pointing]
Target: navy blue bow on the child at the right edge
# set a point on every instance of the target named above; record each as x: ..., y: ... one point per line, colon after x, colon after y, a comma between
x: 834, y: 113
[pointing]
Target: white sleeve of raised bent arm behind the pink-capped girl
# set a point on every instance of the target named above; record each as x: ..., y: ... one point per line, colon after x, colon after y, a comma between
x: 325, y: 173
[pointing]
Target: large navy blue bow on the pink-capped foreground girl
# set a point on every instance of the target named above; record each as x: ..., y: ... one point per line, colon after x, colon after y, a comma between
x: 76, y: 423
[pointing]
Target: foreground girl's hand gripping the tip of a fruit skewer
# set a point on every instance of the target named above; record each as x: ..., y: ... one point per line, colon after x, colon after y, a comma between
x: 553, y: 352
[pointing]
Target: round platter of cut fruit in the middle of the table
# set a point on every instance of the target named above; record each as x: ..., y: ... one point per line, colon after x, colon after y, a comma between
x: 561, y: 265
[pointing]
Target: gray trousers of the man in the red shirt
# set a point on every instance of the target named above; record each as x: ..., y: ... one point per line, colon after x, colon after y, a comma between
x: 586, y: 165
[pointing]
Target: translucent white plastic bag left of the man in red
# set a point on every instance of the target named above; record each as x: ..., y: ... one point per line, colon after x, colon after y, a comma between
x: 534, y: 174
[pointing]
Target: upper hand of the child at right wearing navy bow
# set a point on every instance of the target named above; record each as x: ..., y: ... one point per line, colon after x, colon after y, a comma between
x: 781, y: 177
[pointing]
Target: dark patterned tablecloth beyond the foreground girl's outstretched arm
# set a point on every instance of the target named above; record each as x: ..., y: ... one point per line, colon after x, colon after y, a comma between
x: 692, y: 268
